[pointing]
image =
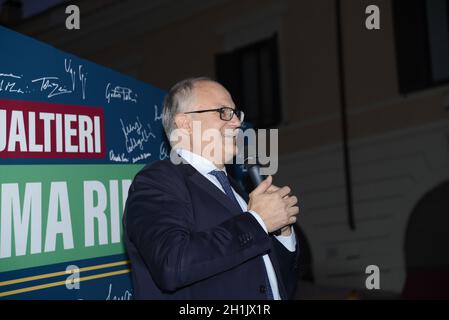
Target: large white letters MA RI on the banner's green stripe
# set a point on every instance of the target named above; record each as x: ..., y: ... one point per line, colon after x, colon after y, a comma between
x: 21, y: 216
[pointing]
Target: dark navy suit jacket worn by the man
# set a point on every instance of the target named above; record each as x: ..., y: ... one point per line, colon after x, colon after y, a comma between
x: 187, y: 240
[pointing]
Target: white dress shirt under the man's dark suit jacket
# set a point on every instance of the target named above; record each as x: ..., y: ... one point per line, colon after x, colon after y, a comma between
x: 204, y: 166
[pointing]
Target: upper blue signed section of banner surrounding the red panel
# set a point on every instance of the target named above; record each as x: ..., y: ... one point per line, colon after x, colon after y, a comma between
x: 36, y: 72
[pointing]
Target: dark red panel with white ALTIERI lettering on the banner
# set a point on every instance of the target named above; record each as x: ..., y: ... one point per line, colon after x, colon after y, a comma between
x: 69, y: 131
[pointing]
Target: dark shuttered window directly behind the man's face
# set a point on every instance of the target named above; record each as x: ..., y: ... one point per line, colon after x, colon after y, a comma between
x: 251, y: 74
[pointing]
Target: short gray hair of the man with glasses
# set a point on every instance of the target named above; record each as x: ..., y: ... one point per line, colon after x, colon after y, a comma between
x: 176, y: 100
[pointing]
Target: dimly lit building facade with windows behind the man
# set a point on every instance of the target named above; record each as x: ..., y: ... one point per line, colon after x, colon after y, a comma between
x: 396, y: 97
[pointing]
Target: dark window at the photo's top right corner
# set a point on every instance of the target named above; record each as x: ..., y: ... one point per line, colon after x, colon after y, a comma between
x: 422, y: 43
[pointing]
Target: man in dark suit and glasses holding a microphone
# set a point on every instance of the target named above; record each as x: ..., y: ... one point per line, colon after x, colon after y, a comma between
x: 190, y: 231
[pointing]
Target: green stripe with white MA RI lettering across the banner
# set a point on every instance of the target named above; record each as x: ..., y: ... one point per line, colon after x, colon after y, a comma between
x: 59, y: 213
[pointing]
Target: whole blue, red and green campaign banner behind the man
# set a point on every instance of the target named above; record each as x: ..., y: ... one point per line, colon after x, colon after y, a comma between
x: 72, y: 136
